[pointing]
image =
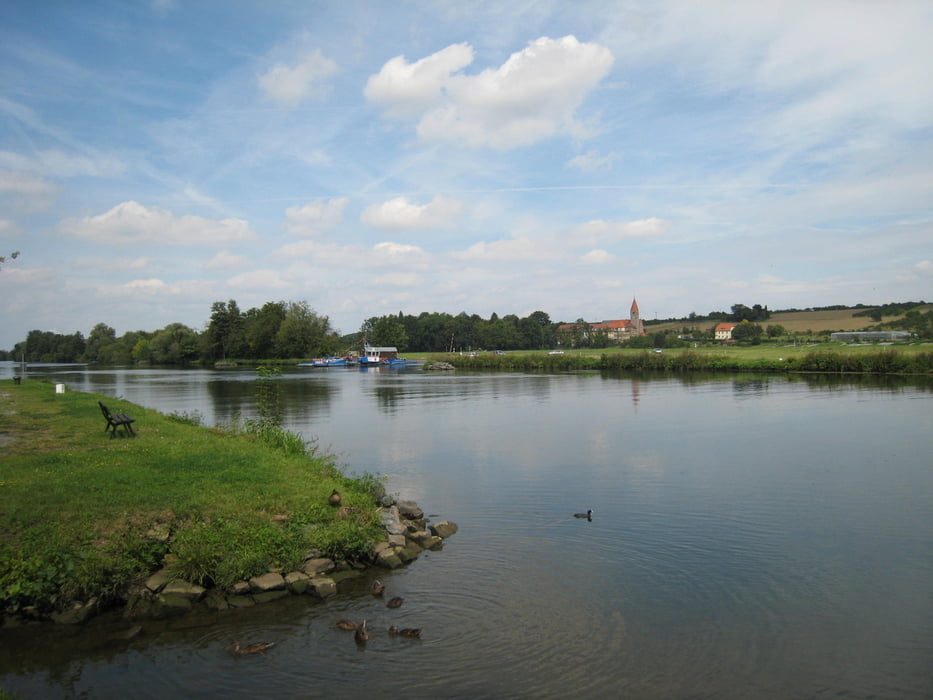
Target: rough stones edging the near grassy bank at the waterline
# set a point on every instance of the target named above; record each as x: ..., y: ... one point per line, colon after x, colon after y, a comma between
x: 161, y: 595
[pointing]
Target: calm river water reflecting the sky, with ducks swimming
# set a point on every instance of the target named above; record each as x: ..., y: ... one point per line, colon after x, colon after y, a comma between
x: 752, y: 537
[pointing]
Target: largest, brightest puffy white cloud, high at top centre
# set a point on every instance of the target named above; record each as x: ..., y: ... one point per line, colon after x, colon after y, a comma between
x: 532, y: 96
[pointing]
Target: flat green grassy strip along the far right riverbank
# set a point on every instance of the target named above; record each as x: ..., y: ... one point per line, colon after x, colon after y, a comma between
x: 824, y: 358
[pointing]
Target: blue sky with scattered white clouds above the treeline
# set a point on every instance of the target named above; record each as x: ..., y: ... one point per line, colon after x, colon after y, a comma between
x: 371, y: 158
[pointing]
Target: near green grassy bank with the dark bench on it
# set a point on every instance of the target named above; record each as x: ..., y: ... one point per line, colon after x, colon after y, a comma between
x: 84, y: 515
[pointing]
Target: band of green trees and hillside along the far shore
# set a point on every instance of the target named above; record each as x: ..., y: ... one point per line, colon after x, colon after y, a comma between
x: 287, y: 332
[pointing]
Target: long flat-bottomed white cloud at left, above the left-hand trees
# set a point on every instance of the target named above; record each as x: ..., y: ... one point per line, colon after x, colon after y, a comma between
x: 131, y: 222
